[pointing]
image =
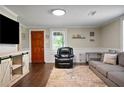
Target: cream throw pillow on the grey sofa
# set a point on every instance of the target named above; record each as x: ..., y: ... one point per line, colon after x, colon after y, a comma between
x: 110, y: 59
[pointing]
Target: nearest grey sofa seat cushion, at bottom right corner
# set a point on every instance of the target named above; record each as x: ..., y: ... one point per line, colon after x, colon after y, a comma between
x: 117, y: 77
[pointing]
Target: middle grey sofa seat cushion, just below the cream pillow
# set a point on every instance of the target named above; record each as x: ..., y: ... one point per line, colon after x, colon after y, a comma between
x: 105, y: 68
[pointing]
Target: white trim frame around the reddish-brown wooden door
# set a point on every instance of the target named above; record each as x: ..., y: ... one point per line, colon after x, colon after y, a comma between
x: 35, y: 30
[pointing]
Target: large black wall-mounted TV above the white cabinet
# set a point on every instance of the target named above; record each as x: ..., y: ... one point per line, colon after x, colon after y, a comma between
x: 9, y: 31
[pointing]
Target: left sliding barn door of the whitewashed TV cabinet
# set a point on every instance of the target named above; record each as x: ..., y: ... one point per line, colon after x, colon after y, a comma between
x: 5, y: 72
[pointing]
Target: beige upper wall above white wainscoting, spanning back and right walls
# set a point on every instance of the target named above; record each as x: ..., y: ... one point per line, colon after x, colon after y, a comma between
x: 105, y: 37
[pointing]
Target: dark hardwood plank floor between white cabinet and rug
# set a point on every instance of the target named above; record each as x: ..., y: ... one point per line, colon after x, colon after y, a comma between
x: 37, y: 77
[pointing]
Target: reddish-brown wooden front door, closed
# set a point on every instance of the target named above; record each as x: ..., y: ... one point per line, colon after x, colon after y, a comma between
x: 37, y: 46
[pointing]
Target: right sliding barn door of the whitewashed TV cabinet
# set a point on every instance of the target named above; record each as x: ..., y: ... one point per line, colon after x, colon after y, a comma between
x: 25, y: 63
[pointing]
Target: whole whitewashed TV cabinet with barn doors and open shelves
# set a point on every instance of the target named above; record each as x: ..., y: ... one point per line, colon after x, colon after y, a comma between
x: 13, y: 67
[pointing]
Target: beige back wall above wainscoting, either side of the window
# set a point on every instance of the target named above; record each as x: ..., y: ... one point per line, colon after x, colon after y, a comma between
x: 78, y: 43
